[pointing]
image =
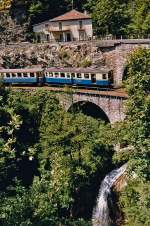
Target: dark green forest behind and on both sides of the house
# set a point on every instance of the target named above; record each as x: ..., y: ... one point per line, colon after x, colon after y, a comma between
x: 115, y: 17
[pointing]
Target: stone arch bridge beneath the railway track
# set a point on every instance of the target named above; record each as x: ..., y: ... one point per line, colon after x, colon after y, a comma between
x: 107, y: 105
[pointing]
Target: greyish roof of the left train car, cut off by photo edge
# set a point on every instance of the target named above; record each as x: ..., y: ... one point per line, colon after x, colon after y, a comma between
x: 20, y: 70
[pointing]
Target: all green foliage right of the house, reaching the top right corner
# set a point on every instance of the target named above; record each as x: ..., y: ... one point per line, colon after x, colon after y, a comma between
x: 119, y: 17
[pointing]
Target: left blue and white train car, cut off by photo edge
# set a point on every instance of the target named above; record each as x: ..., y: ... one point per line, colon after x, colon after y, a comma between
x: 22, y: 76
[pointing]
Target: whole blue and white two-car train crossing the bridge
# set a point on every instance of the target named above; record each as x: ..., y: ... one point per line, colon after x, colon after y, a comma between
x: 59, y: 76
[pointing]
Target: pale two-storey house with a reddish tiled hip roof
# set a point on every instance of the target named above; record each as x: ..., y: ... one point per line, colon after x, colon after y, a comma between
x: 71, y: 26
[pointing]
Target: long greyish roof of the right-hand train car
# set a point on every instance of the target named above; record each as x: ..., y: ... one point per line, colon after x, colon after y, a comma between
x: 78, y: 70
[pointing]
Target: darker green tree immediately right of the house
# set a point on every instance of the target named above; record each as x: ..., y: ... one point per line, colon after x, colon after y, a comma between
x: 110, y: 17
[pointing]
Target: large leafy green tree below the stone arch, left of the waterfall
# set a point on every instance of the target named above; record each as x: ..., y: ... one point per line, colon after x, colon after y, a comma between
x: 71, y: 148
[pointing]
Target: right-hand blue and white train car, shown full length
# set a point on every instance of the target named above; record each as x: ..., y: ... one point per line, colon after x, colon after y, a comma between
x: 79, y: 76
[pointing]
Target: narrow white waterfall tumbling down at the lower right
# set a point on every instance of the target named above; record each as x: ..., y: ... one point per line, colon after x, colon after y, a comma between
x: 101, y: 211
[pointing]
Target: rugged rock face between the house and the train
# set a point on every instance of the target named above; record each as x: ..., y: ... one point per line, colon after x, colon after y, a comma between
x: 60, y: 55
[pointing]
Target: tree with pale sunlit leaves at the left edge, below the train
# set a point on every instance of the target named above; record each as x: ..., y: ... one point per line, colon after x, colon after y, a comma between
x: 9, y: 124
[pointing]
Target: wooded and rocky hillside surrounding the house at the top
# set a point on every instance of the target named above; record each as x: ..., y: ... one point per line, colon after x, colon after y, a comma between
x: 128, y: 18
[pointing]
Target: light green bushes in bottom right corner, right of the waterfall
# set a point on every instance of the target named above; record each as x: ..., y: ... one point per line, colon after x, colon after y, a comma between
x: 136, y: 203
